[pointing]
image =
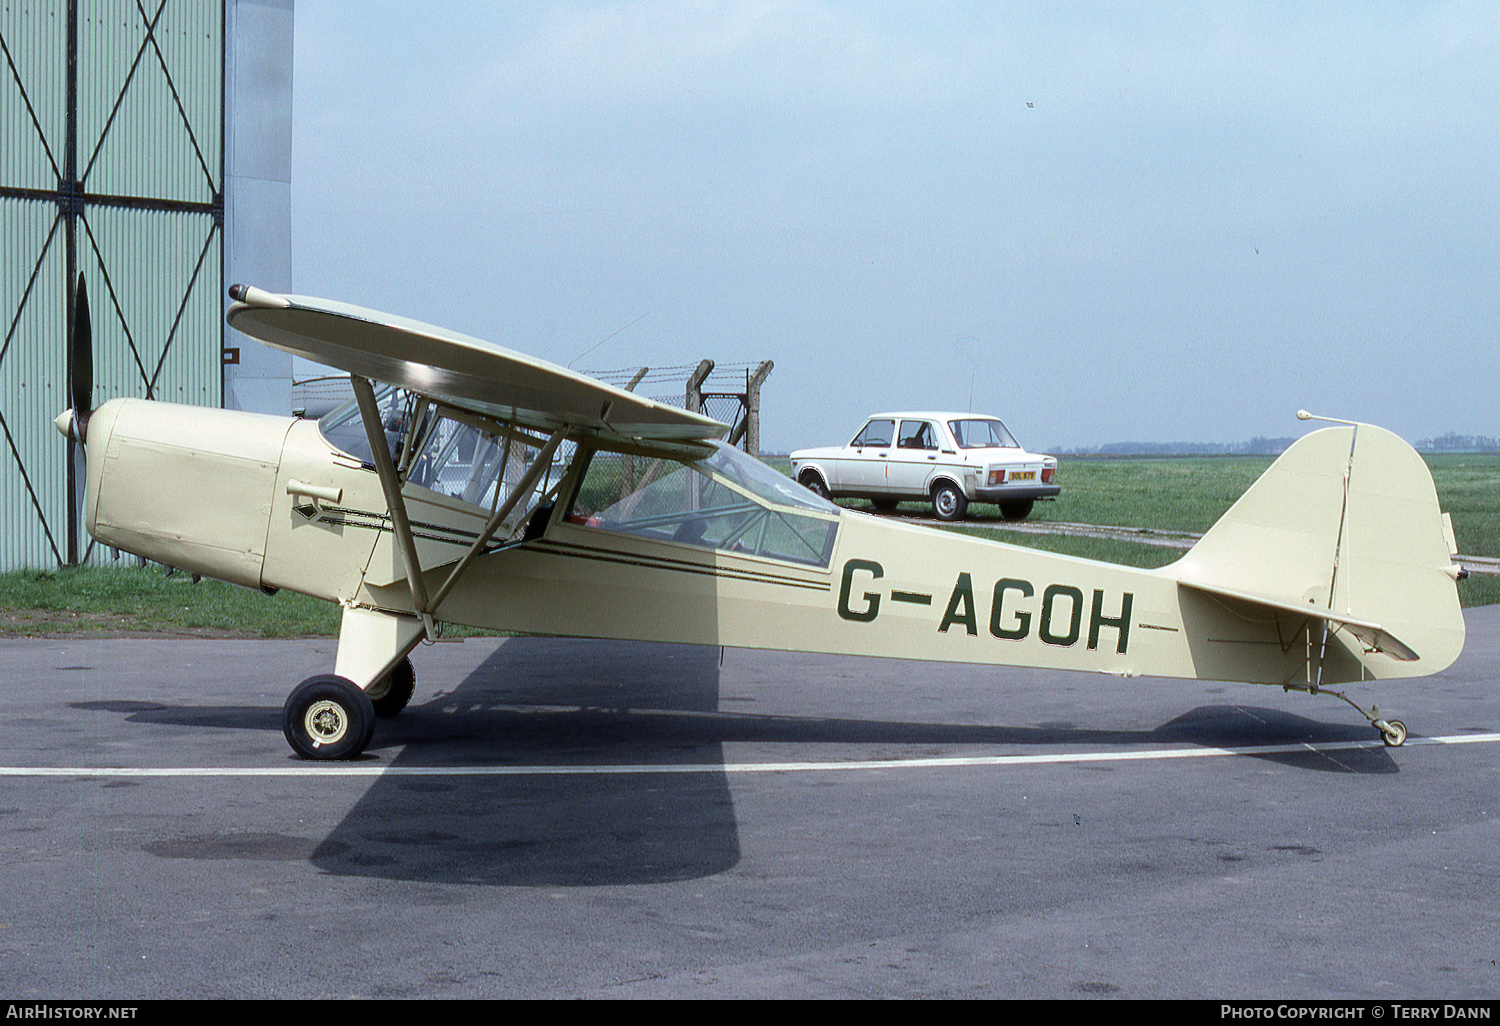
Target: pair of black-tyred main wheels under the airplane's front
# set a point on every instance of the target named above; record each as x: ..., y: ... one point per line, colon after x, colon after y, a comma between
x: 329, y: 718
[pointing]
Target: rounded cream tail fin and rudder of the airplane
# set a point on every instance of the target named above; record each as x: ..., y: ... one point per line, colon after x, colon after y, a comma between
x: 1343, y: 529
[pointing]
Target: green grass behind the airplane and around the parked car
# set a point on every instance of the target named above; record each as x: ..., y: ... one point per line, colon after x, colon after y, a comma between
x: 1178, y: 494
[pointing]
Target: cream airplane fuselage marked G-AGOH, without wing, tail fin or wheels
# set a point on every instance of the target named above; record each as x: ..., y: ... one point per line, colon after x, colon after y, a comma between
x: 269, y: 503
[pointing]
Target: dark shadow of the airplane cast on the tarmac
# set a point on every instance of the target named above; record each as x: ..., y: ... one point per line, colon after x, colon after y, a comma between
x: 538, y: 703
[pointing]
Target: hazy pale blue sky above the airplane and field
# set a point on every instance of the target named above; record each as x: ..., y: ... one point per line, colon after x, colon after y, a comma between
x: 1099, y: 221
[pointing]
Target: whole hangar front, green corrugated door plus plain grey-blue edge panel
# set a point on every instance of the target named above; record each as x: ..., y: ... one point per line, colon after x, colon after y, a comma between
x: 148, y: 151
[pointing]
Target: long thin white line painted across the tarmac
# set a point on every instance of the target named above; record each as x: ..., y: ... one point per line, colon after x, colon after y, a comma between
x: 385, y: 770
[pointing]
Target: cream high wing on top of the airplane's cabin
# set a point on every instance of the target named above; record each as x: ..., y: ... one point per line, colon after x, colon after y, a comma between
x: 460, y: 371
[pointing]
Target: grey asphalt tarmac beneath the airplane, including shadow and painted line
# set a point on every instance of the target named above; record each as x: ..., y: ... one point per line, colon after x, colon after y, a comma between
x: 595, y: 820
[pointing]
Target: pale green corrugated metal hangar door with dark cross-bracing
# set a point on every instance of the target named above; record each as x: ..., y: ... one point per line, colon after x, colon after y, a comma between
x: 146, y: 235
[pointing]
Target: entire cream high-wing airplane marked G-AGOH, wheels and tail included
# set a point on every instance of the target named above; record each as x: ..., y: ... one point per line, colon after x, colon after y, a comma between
x: 475, y: 485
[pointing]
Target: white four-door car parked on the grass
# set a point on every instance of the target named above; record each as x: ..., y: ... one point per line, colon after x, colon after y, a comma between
x: 946, y: 458
